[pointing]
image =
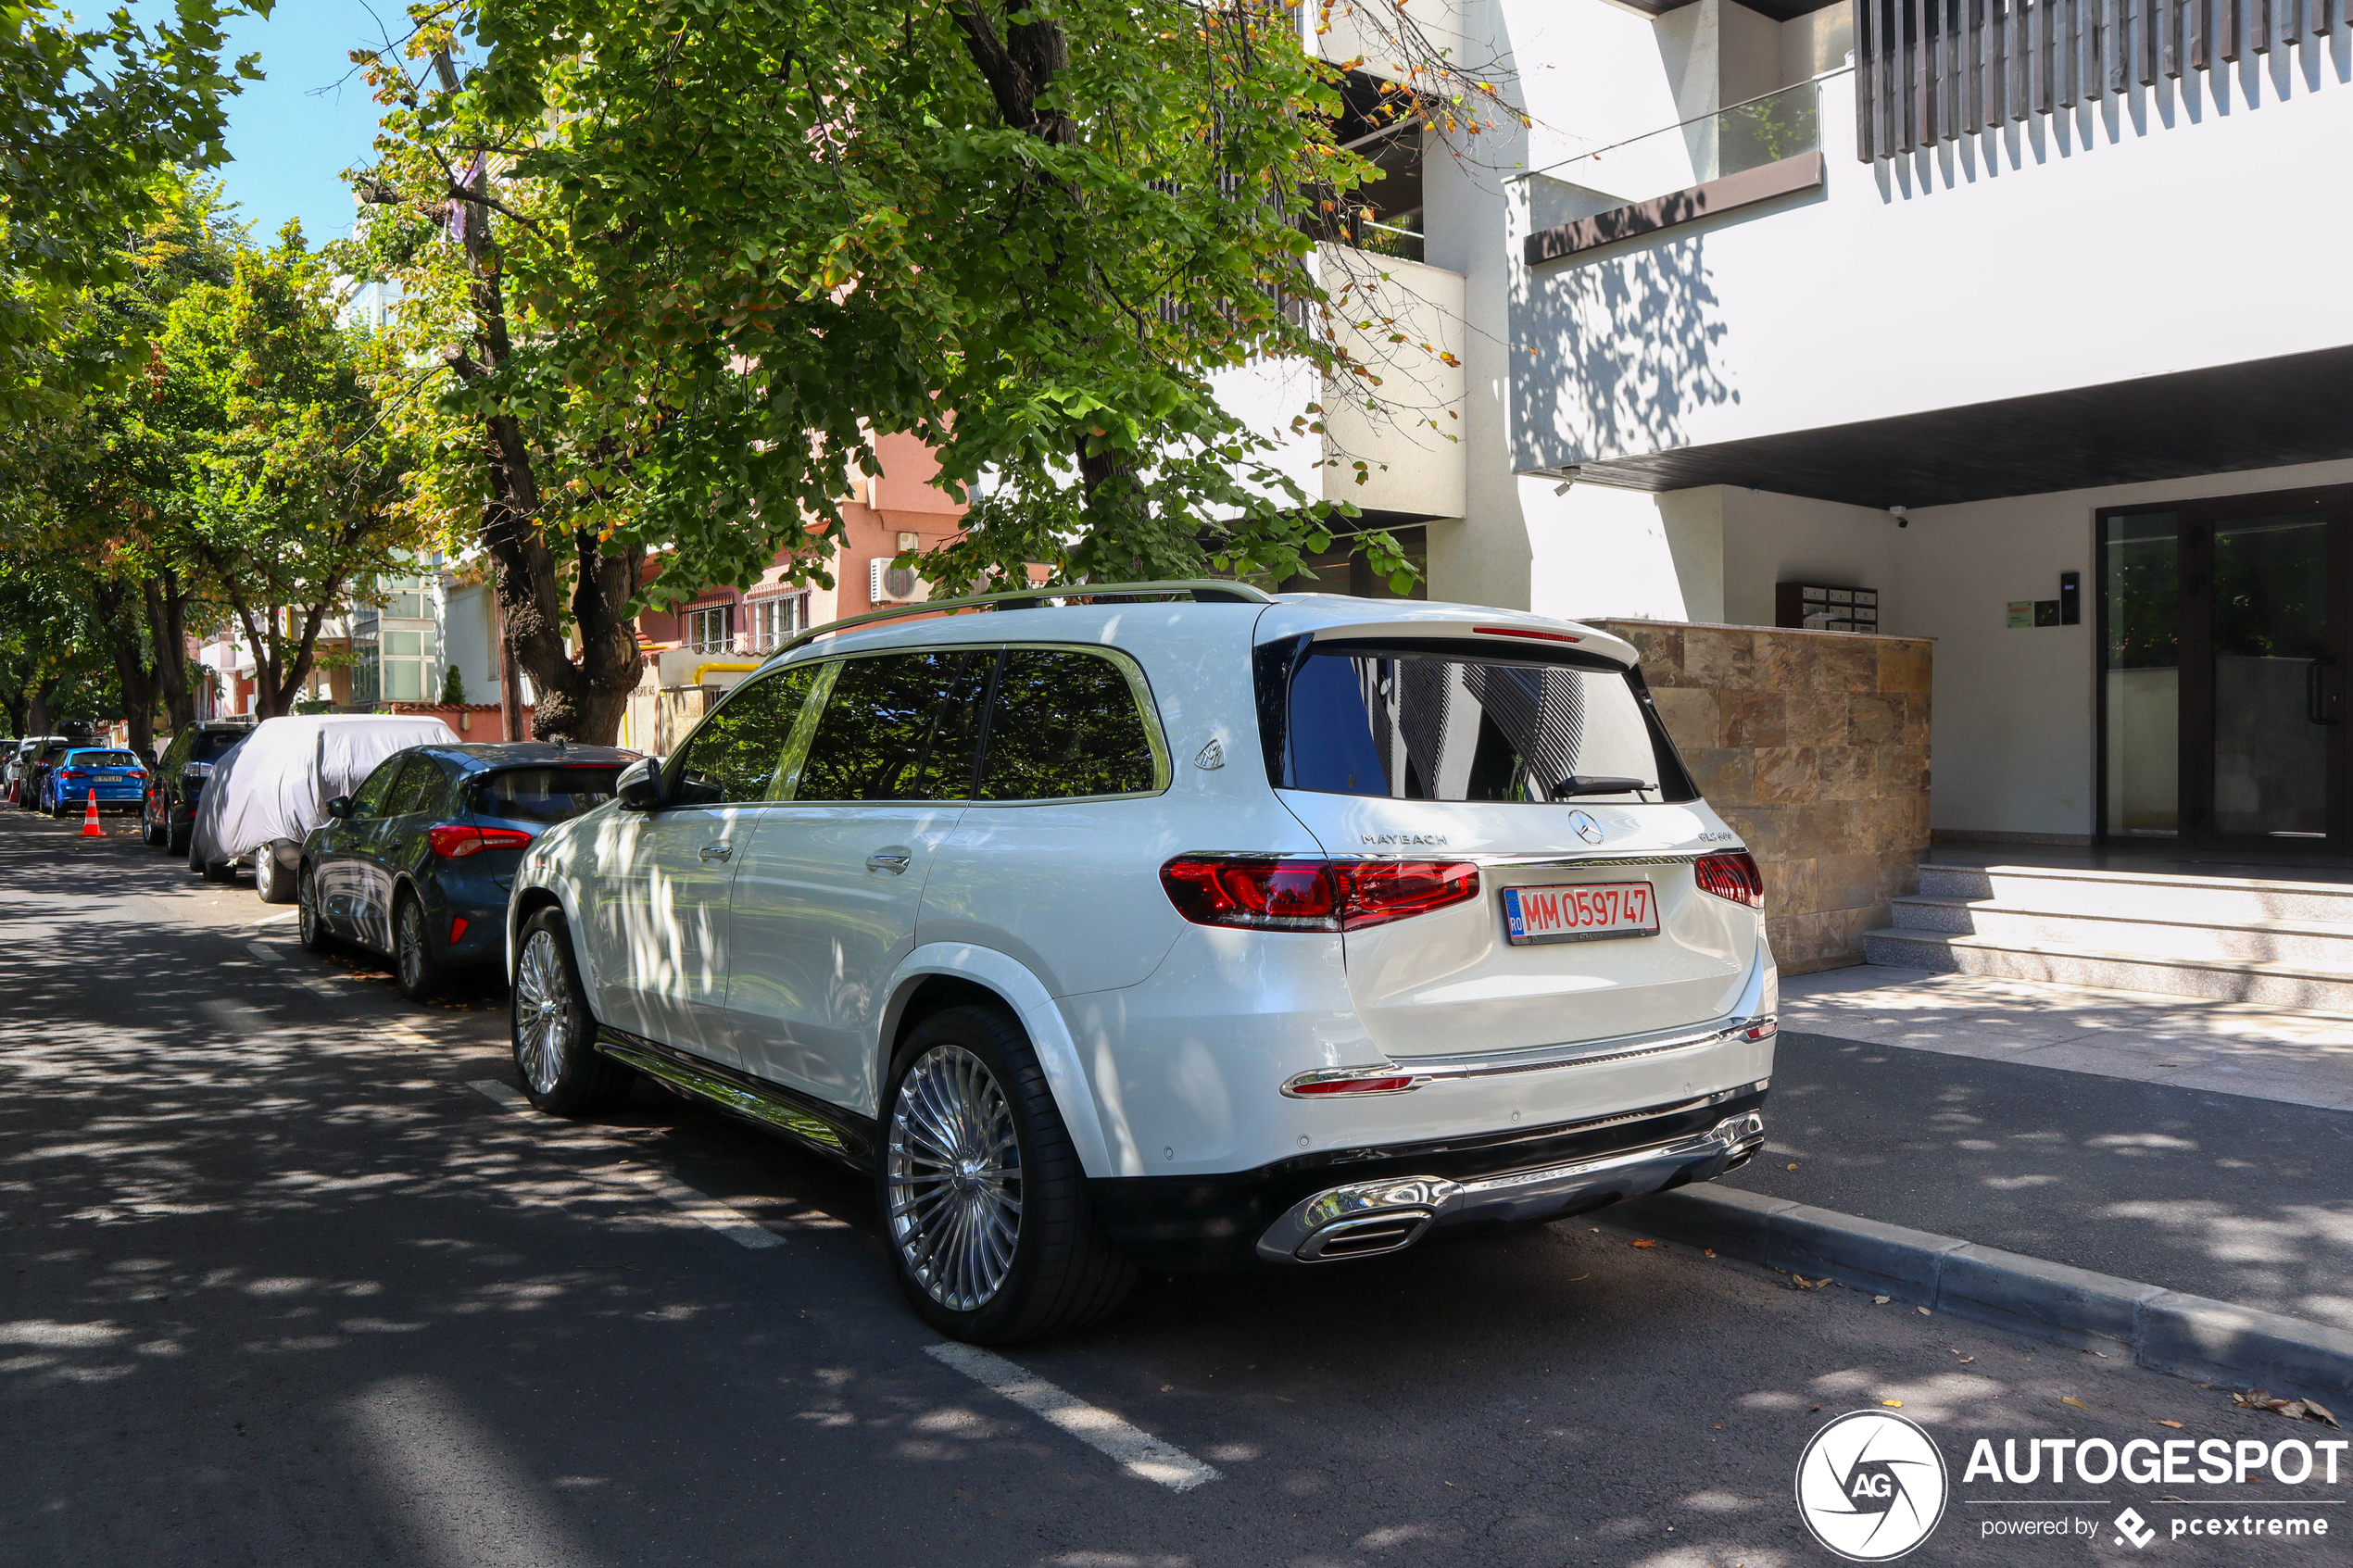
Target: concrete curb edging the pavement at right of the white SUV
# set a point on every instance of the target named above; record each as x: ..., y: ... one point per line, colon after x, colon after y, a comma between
x: 2166, y: 1332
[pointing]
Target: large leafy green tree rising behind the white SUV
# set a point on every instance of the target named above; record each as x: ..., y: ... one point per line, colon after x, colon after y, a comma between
x: 681, y: 264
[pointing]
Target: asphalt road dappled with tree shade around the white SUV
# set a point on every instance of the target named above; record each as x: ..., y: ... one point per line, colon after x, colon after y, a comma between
x: 281, y: 1287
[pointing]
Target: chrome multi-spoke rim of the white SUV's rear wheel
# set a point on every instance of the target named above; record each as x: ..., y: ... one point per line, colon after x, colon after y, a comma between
x: 954, y: 1179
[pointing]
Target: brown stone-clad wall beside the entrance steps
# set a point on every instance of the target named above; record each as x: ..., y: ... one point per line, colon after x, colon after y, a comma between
x: 1815, y: 749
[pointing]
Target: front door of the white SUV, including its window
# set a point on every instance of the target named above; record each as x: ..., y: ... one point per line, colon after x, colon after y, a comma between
x: 662, y: 876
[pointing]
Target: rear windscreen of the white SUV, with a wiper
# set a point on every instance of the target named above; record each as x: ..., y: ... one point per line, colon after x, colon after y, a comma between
x: 1467, y: 728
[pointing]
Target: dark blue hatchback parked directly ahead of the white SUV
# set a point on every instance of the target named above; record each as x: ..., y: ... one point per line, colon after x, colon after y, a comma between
x: 422, y: 859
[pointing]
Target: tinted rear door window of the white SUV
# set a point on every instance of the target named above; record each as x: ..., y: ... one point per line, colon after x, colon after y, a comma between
x: 898, y: 728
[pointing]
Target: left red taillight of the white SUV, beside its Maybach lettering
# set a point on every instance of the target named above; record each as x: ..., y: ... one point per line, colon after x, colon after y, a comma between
x: 1272, y: 894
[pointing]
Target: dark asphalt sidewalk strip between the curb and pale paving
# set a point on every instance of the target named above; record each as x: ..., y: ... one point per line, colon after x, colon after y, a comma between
x: 2218, y: 1195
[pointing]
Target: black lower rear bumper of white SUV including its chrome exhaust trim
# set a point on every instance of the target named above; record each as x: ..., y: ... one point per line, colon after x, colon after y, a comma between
x: 1361, y: 1202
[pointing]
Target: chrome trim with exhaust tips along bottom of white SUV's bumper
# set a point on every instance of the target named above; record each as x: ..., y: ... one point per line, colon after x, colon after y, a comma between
x: 1321, y: 1228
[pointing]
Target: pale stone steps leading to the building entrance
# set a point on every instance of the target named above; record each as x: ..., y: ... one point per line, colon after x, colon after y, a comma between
x: 2277, y: 944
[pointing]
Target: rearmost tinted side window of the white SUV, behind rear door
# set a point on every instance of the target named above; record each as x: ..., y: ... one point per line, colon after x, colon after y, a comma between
x: 1062, y: 725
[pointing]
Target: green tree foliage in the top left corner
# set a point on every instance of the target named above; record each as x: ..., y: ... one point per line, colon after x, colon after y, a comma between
x: 91, y: 119
